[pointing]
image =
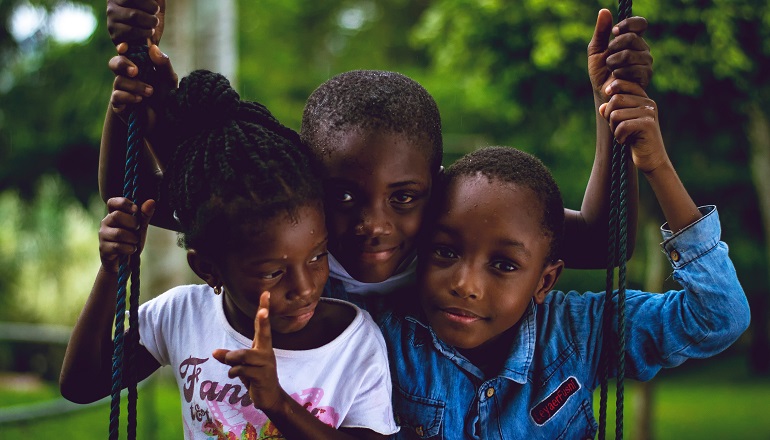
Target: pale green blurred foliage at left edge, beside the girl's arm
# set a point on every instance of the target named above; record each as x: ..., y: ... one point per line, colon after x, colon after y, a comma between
x: 48, y: 254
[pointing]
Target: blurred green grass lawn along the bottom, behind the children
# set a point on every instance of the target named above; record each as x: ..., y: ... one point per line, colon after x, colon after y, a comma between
x: 710, y: 399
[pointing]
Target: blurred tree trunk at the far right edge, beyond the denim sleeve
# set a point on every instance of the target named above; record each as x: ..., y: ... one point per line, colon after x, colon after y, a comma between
x: 759, y: 140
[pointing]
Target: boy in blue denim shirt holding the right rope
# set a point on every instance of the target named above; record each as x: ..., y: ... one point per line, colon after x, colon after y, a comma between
x: 518, y: 360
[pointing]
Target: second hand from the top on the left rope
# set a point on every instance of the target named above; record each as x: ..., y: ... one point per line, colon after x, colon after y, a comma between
x: 128, y: 90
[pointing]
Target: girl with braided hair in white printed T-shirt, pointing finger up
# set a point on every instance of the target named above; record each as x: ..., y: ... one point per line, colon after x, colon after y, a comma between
x: 246, y: 194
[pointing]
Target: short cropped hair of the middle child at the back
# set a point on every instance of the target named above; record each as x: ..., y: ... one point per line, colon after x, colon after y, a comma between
x: 373, y: 100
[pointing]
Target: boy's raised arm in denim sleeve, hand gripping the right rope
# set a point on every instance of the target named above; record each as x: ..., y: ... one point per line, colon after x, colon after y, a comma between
x: 711, y: 311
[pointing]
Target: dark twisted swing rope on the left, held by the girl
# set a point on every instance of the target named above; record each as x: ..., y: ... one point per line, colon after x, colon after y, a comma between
x: 129, y: 268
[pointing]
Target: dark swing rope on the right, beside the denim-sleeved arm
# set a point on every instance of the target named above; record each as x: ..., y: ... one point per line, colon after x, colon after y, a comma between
x: 617, y: 234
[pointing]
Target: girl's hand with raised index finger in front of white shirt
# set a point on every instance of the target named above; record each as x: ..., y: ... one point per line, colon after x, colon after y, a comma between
x: 256, y: 367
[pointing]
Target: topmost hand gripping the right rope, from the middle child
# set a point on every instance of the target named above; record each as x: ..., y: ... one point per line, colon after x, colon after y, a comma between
x: 626, y: 57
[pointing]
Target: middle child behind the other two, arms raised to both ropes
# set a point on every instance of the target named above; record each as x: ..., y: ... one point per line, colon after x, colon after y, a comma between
x: 378, y: 135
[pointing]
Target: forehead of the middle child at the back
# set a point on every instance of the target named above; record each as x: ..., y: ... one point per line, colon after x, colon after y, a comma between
x: 391, y: 155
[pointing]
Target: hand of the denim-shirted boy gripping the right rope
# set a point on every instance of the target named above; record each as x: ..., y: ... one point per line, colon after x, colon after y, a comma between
x: 633, y: 119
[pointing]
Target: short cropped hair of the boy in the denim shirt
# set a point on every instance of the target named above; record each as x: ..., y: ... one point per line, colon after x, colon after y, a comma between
x: 511, y: 165
